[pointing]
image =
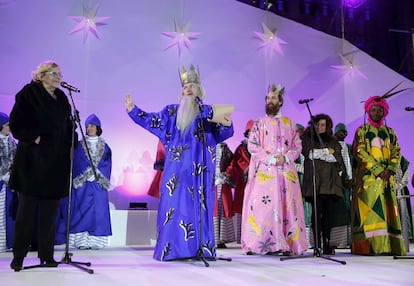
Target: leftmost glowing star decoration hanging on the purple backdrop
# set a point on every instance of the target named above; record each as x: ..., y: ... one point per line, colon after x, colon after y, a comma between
x: 88, y: 23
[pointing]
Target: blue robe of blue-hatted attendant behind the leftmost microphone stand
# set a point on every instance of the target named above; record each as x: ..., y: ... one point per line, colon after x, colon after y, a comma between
x: 89, y: 202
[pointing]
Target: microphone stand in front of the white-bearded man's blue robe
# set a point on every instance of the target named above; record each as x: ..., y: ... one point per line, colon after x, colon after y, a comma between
x: 200, y: 253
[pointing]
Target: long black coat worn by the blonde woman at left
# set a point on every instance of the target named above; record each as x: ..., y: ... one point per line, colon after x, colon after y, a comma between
x: 43, y: 169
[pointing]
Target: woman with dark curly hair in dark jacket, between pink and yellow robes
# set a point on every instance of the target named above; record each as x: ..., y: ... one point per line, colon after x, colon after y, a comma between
x: 326, y: 154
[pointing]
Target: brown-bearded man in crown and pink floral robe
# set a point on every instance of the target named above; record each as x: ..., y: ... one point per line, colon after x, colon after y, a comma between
x: 273, y: 218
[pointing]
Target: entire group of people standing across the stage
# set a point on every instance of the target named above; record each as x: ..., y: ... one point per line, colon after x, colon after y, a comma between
x: 286, y: 188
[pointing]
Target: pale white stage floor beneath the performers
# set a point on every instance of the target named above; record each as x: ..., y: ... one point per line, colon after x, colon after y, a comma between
x: 134, y: 265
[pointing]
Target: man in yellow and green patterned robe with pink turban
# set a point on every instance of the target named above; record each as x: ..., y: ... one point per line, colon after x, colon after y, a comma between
x: 376, y: 227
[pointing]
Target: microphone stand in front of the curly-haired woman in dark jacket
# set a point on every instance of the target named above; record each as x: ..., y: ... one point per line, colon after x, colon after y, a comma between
x: 315, y: 228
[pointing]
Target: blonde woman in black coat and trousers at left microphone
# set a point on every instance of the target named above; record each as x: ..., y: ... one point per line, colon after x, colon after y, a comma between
x: 41, y: 121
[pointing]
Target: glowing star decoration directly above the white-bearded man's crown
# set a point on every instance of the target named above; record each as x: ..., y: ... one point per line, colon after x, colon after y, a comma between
x: 180, y: 38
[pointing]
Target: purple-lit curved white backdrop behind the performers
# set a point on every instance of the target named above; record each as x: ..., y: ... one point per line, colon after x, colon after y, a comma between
x: 130, y: 56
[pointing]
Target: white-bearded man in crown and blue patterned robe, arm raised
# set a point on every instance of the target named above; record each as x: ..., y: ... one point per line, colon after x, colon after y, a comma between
x: 189, y: 131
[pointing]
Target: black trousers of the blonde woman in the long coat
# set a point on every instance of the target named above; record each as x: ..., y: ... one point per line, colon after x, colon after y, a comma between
x: 45, y: 211
